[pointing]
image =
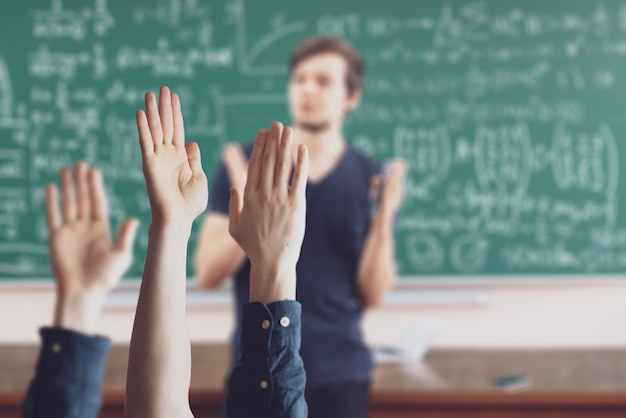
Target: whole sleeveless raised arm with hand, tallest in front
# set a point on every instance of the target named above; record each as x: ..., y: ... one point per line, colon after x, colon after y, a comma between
x: 159, y: 365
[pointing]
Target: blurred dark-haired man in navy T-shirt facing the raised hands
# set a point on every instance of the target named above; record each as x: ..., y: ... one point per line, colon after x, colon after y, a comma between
x: 347, y: 261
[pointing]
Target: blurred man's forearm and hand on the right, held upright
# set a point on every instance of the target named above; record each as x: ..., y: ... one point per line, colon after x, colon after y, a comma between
x: 377, y: 271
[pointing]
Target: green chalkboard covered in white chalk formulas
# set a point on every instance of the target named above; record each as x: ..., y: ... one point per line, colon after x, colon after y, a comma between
x: 511, y: 114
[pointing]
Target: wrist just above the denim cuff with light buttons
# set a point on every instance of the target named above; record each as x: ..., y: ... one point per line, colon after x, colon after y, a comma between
x: 272, y: 282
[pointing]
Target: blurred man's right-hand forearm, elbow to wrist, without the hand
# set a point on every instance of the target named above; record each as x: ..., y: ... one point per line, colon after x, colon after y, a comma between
x: 377, y: 269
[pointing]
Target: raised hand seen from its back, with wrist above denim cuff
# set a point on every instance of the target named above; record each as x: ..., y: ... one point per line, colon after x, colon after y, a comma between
x: 268, y: 221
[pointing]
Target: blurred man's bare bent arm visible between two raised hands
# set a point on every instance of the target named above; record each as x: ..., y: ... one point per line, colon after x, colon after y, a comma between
x: 217, y: 256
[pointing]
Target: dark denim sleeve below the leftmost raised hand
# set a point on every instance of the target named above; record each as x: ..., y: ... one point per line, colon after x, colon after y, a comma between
x: 68, y: 375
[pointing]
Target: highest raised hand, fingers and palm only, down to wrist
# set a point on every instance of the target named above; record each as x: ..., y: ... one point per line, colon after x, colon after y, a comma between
x: 177, y: 186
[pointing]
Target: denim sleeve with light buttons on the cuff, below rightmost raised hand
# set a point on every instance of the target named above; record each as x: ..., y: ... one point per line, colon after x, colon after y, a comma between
x: 270, y: 378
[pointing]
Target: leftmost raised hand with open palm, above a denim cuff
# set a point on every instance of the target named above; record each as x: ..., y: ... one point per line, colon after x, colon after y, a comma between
x: 85, y: 262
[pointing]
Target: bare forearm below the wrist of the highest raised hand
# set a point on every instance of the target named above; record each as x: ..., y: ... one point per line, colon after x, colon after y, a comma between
x: 159, y: 366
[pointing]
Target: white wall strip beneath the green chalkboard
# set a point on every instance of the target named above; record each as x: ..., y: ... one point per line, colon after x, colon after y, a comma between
x: 518, y: 316
